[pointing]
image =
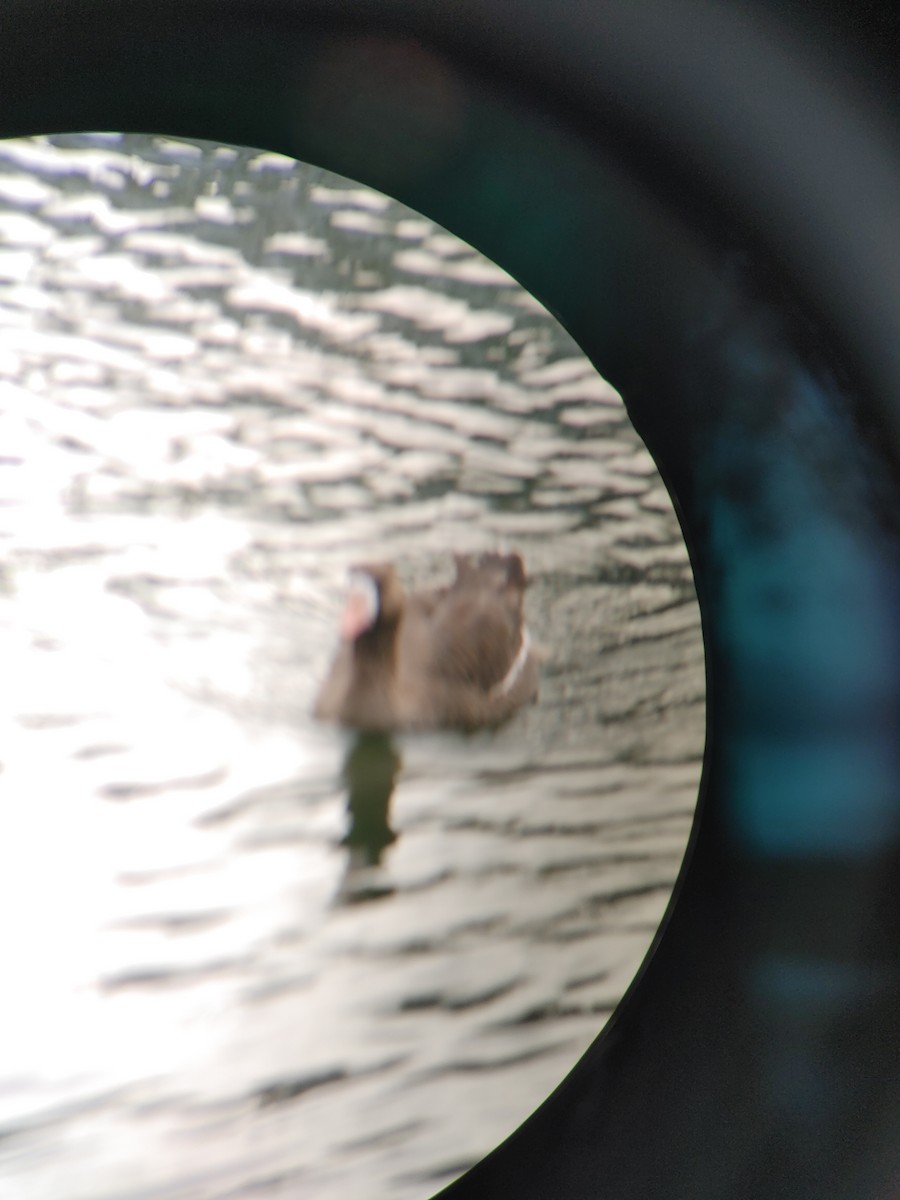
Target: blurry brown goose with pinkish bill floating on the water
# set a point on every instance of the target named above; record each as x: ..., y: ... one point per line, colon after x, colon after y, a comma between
x: 449, y: 658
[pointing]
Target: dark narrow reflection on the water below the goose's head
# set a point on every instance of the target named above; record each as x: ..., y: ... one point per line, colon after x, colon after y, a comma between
x: 370, y: 773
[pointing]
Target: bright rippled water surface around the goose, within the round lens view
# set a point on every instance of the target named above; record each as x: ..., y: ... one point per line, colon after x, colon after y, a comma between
x: 231, y: 968
